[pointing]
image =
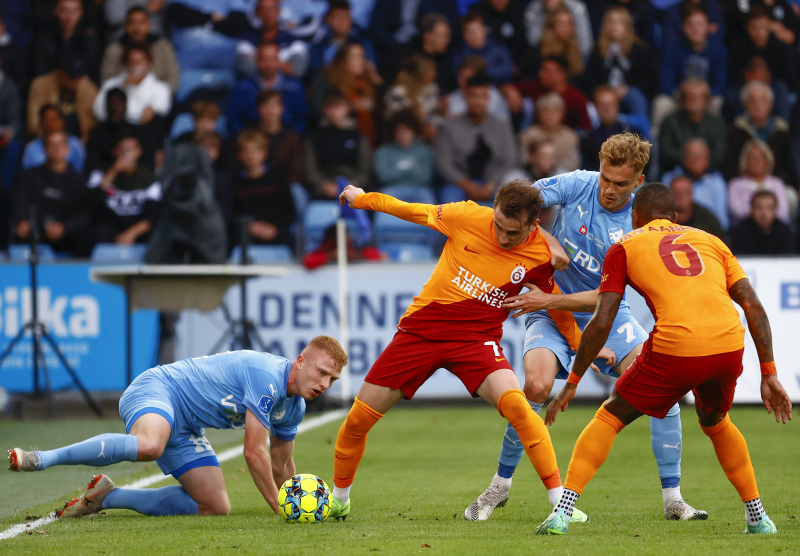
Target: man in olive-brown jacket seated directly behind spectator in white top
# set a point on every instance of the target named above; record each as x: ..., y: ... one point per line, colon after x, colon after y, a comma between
x: 137, y: 31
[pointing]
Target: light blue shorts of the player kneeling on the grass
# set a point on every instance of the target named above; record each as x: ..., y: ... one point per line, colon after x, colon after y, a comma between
x: 187, y: 446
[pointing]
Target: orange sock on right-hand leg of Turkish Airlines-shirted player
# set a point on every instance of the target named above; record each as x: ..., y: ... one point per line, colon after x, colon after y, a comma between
x: 534, y: 435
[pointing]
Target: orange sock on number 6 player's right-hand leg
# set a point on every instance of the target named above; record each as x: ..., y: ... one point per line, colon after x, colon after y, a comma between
x: 731, y: 450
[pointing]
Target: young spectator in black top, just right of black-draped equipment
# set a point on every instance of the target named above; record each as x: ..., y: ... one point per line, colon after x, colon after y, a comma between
x: 261, y: 191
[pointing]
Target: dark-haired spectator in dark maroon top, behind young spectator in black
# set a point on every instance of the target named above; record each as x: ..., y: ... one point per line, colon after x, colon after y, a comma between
x: 285, y: 145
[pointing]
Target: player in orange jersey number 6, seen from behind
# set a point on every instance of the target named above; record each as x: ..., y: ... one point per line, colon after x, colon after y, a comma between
x: 674, y: 268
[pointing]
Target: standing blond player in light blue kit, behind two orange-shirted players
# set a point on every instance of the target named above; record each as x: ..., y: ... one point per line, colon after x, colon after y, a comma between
x: 594, y: 211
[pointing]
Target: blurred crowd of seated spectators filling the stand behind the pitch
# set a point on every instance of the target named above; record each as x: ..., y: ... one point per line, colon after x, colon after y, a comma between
x: 124, y: 120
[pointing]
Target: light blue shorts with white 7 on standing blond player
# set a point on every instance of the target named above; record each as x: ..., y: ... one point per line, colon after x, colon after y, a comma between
x: 541, y: 331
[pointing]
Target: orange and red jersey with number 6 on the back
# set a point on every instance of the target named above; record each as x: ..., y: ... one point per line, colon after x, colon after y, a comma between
x: 684, y: 274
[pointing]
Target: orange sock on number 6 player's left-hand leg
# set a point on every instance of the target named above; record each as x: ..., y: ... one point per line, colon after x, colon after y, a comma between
x: 592, y: 449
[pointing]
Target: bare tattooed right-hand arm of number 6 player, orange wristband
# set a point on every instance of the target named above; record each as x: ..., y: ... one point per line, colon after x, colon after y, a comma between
x: 772, y: 392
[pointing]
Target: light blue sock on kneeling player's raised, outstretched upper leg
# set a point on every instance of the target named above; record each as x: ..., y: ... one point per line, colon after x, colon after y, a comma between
x: 98, y: 451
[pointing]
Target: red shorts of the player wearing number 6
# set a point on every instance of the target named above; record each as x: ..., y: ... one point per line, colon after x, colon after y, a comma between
x: 657, y: 381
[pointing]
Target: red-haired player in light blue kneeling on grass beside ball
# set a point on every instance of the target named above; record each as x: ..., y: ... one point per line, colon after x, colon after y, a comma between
x: 165, y: 410
